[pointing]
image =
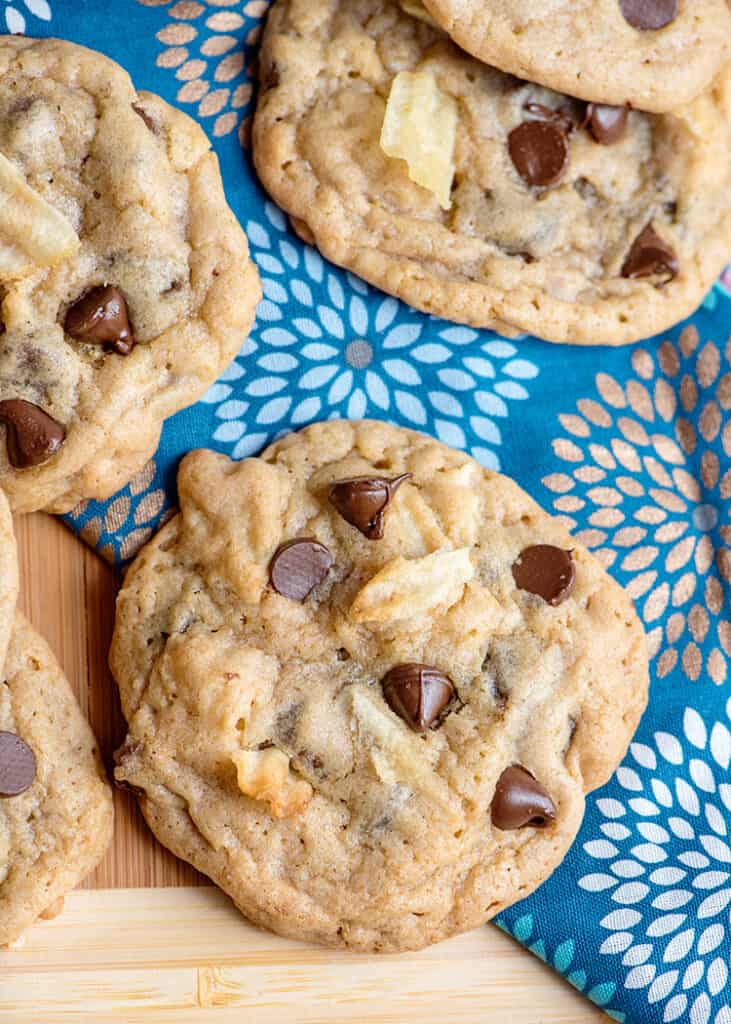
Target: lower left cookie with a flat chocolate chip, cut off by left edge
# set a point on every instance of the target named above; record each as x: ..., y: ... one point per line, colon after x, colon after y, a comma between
x: 56, y: 806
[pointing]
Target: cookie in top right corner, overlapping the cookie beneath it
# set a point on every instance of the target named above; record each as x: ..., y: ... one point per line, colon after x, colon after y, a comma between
x: 605, y: 52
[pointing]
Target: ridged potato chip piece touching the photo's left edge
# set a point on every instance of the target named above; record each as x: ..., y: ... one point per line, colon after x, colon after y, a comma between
x: 33, y: 233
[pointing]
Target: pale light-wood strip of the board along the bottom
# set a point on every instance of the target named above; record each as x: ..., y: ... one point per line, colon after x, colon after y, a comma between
x: 186, y: 955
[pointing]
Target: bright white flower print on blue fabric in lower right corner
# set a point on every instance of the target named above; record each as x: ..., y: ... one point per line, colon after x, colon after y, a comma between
x: 679, y: 913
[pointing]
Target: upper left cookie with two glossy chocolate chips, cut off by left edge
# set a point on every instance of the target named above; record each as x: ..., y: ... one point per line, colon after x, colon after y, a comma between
x: 126, y: 280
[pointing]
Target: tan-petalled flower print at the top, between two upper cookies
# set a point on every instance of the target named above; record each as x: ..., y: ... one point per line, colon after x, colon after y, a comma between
x: 205, y: 46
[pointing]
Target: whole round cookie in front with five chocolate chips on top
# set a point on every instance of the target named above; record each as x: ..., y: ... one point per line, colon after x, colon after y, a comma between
x: 268, y: 746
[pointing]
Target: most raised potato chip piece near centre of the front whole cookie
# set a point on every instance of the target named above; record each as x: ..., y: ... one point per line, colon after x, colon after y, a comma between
x: 409, y: 588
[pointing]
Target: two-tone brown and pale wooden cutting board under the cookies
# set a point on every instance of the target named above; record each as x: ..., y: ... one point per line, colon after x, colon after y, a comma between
x: 148, y: 940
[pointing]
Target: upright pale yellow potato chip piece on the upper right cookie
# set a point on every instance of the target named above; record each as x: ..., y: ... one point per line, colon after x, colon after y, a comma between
x: 420, y: 126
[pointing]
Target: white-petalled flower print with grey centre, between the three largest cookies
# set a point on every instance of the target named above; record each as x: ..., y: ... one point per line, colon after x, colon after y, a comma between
x: 326, y: 346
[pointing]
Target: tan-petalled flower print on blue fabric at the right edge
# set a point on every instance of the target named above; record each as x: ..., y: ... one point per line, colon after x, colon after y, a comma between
x: 647, y: 484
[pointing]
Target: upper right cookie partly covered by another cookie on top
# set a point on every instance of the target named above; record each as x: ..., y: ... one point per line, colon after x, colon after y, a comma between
x: 507, y: 255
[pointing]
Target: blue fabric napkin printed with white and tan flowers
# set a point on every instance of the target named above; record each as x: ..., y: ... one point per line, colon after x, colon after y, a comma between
x: 632, y: 447
